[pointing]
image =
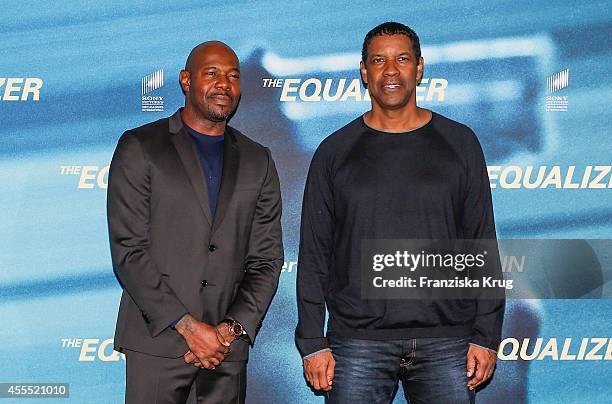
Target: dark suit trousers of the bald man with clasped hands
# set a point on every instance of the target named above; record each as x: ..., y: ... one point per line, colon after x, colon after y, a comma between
x: 156, y: 380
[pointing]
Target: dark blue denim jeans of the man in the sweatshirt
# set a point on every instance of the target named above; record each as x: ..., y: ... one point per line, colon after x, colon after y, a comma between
x: 432, y: 370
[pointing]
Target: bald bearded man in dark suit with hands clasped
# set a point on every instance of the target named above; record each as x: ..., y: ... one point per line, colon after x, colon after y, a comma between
x: 194, y: 210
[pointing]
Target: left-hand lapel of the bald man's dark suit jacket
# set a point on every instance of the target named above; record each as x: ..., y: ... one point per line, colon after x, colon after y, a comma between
x: 189, y: 156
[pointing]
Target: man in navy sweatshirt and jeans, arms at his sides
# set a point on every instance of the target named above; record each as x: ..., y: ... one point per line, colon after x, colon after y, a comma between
x: 397, y: 172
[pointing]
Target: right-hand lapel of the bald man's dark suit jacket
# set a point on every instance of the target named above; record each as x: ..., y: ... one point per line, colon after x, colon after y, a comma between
x: 231, y: 155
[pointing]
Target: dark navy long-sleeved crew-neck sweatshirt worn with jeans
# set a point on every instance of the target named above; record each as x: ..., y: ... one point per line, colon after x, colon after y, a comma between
x: 429, y: 183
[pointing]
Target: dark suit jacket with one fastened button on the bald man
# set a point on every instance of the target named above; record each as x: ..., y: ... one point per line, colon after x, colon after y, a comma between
x: 171, y: 256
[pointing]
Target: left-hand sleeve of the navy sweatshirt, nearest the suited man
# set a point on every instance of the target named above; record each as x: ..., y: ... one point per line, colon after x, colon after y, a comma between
x: 314, y: 260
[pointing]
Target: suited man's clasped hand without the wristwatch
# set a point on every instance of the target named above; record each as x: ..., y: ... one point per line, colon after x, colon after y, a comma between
x: 204, y: 342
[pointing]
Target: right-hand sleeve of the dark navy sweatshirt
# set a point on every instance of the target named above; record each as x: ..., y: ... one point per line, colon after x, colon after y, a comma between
x: 478, y: 223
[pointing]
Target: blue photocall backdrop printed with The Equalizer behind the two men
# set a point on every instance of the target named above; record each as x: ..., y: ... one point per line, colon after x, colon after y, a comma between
x: 531, y: 79
